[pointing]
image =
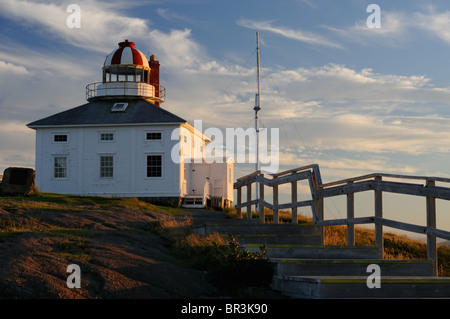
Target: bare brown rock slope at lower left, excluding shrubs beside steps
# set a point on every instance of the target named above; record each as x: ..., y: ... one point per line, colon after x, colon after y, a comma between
x: 109, y: 238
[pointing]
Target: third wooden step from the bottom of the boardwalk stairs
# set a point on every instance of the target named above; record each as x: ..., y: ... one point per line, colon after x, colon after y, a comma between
x: 318, y: 252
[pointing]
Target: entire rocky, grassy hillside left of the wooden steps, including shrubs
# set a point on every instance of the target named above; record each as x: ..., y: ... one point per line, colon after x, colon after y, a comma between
x: 125, y: 248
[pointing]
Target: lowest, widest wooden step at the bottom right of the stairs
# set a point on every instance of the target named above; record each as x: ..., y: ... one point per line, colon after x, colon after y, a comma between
x: 354, y: 287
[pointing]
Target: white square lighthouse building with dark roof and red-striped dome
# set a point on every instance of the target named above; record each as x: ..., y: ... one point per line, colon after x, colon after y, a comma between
x: 121, y: 143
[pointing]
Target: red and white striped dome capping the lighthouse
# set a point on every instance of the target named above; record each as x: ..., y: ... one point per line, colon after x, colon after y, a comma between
x: 126, y: 54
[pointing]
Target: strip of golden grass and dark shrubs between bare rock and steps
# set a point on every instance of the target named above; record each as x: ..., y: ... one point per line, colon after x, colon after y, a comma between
x: 229, y: 267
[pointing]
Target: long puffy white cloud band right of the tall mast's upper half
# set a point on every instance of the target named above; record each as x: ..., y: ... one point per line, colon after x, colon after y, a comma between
x: 340, y: 84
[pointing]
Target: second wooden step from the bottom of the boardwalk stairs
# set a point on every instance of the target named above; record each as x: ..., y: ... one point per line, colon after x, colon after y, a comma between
x: 351, y: 267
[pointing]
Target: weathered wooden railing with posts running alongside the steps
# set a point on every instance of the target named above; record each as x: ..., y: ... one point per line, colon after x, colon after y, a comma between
x: 348, y: 187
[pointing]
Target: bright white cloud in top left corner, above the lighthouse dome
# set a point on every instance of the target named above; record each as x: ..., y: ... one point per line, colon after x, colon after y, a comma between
x: 101, y: 22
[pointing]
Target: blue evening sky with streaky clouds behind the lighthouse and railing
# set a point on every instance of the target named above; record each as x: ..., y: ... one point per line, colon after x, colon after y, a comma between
x: 351, y: 98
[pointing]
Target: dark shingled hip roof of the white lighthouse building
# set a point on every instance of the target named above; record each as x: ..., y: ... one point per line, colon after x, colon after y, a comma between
x: 98, y: 112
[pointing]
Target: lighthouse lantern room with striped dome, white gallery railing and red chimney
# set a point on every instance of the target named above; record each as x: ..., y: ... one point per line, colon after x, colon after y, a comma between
x: 128, y: 73
